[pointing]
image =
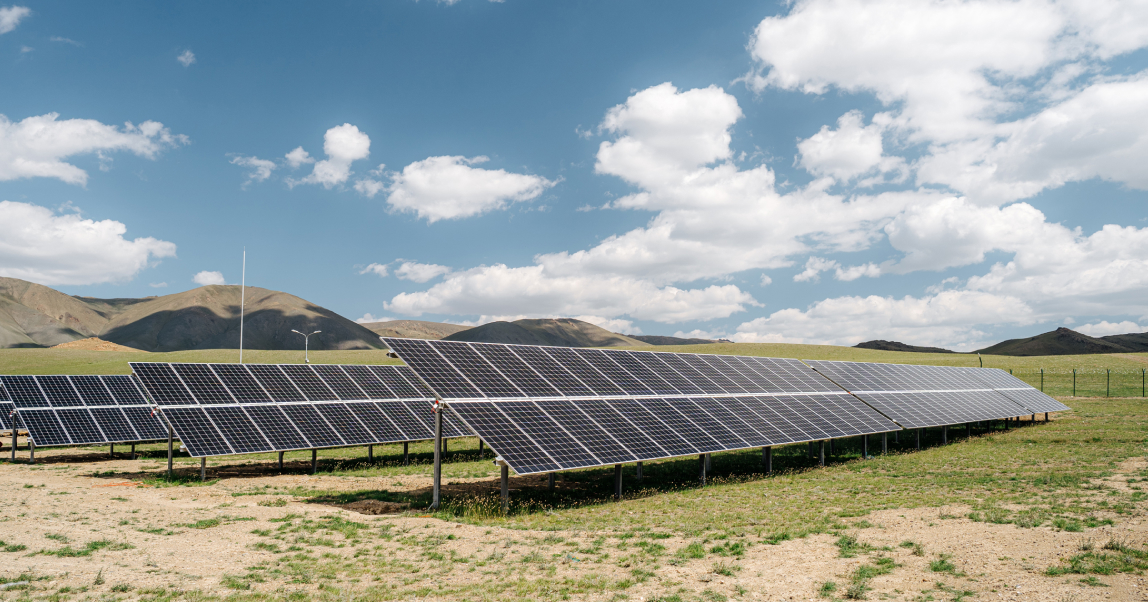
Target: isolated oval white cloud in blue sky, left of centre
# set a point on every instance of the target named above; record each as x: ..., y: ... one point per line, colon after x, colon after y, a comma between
x: 449, y: 188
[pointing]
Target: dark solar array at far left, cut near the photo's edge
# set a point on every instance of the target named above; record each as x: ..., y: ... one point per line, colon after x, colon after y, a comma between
x: 73, y: 411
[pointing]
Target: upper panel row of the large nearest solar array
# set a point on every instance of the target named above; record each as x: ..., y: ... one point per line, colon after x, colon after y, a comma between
x: 463, y: 371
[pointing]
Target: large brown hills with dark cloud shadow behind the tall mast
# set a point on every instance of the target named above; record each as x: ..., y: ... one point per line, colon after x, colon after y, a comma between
x: 203, y: 319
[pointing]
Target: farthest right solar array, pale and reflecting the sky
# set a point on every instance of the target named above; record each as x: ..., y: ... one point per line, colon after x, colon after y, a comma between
x: 919, y: 397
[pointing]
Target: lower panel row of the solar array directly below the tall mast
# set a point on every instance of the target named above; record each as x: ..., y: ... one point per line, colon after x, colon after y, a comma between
x: 218, y: 430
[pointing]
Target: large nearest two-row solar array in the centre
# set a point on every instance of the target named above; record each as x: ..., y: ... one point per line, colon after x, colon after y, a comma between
x: 545, y: 410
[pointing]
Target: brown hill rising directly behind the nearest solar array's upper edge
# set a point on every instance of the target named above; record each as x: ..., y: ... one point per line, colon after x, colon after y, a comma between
x: 554, y: 333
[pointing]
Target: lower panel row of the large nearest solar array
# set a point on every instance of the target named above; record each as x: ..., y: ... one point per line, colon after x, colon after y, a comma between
x: 563, y: 435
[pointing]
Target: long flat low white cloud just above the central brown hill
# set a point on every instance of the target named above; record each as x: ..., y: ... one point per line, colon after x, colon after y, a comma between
x: 499, y: 290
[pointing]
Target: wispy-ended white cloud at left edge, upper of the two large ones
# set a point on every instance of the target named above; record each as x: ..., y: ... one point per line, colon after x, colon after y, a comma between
x: 37, y: 146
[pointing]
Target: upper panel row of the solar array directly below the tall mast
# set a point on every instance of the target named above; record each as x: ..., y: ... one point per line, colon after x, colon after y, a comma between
x: 207, y: 384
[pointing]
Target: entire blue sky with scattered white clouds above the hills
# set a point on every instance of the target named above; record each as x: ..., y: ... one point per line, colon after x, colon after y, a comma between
x: 821, y: 172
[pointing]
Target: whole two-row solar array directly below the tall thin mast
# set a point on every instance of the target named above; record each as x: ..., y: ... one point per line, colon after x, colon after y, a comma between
x: 224, y: 410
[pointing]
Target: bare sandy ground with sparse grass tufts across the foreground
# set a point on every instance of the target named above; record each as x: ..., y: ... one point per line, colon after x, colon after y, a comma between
x: 63, y: 503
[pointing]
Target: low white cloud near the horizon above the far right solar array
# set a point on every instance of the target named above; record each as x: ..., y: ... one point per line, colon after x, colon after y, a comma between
x: 951, y: 319
